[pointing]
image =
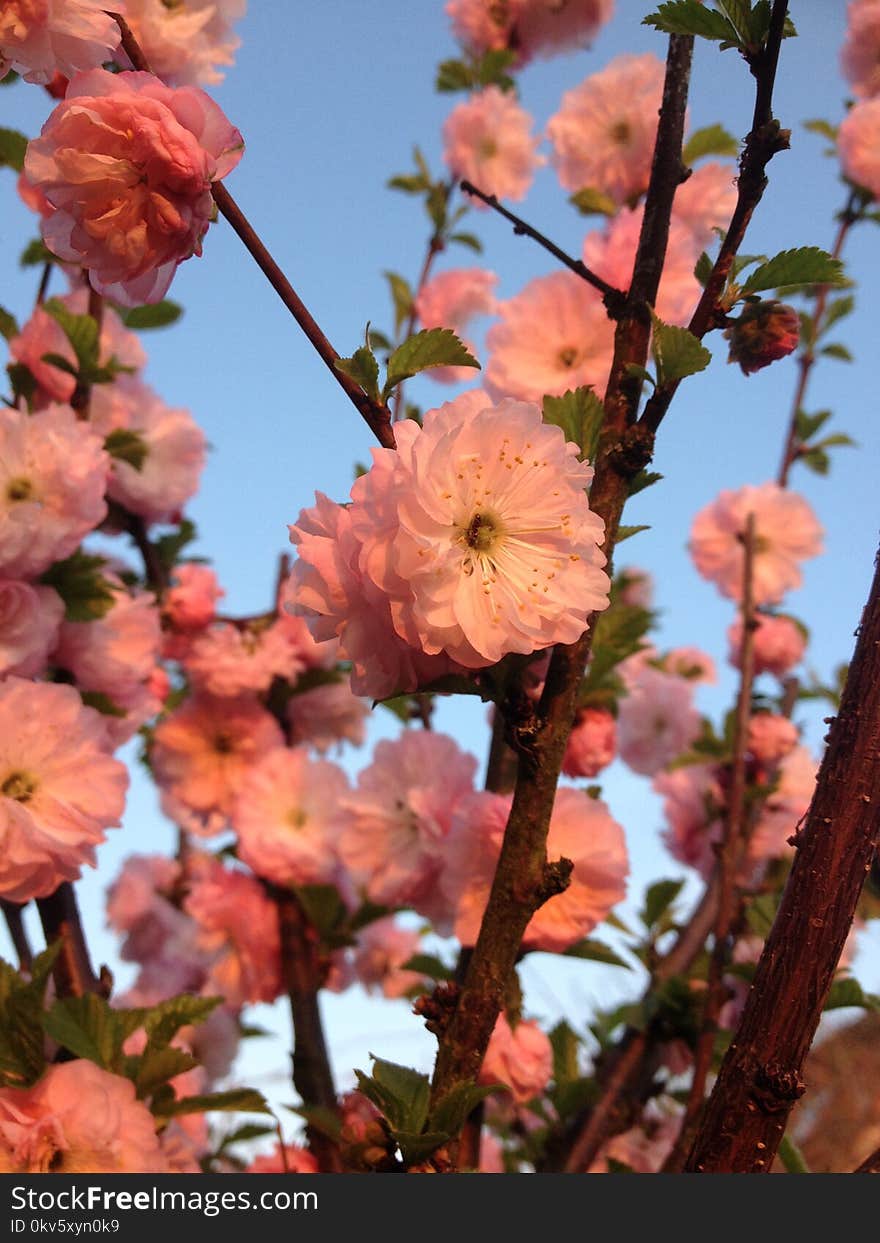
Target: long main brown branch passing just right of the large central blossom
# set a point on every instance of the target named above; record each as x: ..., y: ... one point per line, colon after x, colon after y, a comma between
x: 524, y: 879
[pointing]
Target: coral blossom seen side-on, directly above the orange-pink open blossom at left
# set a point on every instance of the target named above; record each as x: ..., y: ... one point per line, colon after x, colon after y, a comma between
x: 228, y: 661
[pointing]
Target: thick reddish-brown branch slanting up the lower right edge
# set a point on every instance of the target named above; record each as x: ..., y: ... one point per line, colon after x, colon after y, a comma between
x: 761, y: 1076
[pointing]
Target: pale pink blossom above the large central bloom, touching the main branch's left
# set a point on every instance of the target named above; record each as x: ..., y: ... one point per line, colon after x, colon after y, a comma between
x: 552, y: 336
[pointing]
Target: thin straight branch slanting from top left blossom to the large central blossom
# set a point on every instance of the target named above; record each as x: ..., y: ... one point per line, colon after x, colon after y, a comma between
x: 376, y: 415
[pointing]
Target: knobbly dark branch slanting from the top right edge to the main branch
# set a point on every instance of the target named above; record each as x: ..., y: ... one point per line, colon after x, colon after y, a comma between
x: 765, y: 140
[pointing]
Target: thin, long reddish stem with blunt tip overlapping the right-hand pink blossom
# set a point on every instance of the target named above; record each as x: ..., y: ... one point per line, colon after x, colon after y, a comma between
x: 729, y: 868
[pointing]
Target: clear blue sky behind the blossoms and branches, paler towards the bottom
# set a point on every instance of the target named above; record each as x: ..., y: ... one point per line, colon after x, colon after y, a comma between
x: 331, y: 99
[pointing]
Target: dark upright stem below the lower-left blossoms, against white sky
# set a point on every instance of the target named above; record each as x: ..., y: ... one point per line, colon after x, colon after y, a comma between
x: 304, y: 978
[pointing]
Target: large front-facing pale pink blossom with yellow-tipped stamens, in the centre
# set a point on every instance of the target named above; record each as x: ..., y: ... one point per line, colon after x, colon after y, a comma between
x: 497, y: 549
